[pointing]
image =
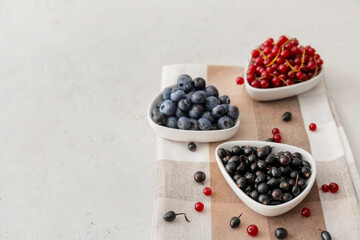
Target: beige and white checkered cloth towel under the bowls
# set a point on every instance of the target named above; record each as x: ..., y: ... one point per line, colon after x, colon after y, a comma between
x: 176, y: 190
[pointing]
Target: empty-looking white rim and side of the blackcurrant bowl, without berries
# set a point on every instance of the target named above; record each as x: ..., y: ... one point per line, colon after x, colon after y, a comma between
x: 268, y: 210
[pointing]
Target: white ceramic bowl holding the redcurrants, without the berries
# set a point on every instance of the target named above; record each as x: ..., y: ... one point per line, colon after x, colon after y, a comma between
x: 269, y: 94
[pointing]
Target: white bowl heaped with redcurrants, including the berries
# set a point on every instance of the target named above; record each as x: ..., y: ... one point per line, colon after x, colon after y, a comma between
x: 282, y: 69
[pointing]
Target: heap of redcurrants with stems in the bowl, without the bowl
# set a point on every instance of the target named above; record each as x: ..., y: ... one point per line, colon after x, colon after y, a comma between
x: 282, y: 63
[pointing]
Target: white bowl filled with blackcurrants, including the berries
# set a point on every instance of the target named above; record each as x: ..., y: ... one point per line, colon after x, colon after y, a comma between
x: 270, y: 178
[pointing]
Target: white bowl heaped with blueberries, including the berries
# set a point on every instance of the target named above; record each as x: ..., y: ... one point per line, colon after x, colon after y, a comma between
x: 193, y: 111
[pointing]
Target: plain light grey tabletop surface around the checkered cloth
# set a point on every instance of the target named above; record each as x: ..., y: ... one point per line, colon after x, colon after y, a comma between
x: 77, y: 156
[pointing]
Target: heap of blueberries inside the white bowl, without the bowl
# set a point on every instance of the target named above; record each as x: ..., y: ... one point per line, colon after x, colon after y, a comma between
x: 192, y: 105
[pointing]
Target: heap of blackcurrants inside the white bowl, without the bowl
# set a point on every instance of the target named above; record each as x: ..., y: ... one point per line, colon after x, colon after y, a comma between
x: 268, y: 178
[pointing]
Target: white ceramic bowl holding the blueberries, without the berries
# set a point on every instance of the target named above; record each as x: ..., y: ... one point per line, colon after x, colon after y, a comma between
x: 190, y: 135
